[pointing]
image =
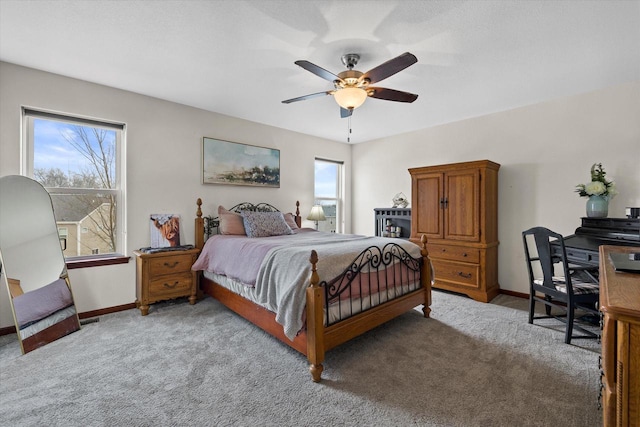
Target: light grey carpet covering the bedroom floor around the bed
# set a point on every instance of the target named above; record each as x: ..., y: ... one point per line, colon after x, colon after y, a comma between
x: 471, y: 364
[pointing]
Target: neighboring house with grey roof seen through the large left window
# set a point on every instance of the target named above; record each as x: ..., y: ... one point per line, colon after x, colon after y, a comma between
x: 82, y: 224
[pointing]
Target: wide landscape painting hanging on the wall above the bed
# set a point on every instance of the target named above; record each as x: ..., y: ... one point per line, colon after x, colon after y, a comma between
x: 234, y: 163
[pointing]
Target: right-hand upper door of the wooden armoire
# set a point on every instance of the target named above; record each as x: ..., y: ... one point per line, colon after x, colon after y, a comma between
x: 462, y: 205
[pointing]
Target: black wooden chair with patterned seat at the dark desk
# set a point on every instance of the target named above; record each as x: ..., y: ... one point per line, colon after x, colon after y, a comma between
x: 575, y: 289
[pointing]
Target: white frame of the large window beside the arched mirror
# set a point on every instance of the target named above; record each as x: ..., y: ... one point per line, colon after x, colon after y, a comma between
x: 29, y: 115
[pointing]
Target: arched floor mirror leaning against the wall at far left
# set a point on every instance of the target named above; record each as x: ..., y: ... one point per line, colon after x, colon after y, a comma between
x: 33, y: 265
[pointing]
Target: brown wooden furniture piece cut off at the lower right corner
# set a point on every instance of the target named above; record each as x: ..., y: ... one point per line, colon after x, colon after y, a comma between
x: 620, y: 306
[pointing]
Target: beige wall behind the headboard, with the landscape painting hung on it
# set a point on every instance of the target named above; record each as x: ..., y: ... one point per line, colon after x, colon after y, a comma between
x: 163, y: 155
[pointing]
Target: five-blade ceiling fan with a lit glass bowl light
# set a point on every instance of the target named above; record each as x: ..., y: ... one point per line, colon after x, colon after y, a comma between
x: 352, y: 87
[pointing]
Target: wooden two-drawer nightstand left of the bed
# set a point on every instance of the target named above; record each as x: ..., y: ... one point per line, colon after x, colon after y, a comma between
x: 165, y: 275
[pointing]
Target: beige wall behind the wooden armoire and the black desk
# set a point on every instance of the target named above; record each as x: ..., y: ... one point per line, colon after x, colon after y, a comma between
x: 544, y: 149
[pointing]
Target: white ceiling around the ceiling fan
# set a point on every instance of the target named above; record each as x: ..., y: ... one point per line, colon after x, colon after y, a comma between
x: 237, y: 57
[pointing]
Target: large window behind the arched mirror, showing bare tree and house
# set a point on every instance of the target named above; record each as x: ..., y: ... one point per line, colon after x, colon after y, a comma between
x: 79, y: 162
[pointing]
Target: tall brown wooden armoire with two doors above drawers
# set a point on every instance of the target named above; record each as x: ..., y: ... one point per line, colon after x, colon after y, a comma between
x: 456, y: 206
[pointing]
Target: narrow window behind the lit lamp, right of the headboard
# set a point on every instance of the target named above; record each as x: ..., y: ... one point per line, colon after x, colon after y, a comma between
x: 328, y: 194
